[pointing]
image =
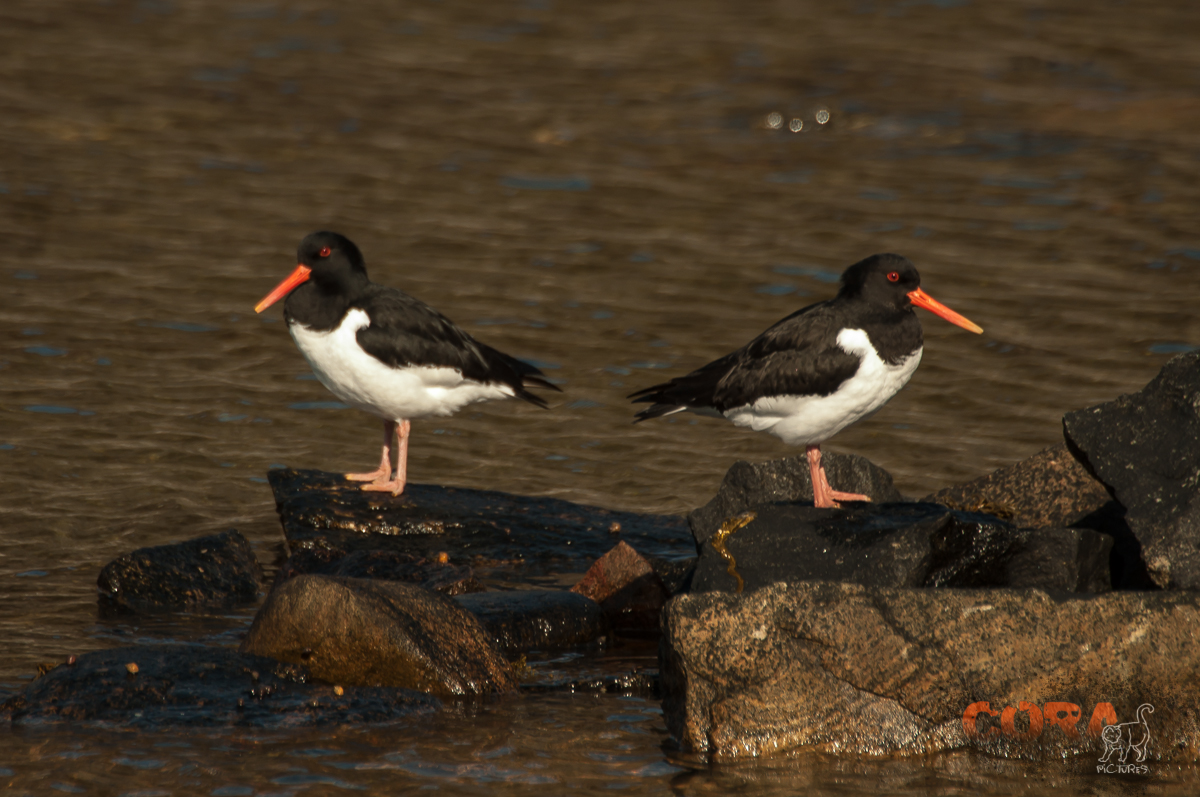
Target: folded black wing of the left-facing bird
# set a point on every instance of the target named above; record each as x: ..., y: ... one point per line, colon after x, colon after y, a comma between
x: 405, y: 331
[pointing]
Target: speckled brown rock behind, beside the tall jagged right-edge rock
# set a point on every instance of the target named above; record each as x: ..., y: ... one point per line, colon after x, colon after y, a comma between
x: 1049, y: 490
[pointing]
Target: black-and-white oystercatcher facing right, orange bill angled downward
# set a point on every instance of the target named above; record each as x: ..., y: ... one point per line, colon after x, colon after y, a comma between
x: 819, y: 370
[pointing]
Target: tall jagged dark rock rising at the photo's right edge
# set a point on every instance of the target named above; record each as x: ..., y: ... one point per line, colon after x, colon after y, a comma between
x: 1145, y: 447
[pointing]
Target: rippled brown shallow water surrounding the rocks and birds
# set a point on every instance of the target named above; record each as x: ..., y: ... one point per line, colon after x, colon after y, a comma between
x: 596, y: 188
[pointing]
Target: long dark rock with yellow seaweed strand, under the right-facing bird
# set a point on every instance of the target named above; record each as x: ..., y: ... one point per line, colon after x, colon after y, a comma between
x: 896, y: 546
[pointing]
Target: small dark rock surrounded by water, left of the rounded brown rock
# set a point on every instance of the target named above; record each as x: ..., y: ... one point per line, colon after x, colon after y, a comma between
x: 207, y: 572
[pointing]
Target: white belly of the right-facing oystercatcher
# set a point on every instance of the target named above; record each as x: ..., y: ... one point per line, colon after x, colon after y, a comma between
x: 811, y: 421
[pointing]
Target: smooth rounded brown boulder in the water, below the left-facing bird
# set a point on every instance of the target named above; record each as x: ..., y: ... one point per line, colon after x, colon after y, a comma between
x: 379, y: 633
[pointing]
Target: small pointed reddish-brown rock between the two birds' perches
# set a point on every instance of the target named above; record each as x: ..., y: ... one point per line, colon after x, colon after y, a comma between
x: 628, y: 590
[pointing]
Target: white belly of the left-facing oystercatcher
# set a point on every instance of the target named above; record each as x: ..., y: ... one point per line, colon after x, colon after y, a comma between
x: 394, y: 394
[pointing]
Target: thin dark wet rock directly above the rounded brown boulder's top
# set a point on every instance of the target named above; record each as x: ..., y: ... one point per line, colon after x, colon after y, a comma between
x: 321, y: 559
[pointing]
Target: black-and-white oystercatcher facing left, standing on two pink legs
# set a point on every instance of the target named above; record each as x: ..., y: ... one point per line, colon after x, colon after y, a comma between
x: 387, y: 353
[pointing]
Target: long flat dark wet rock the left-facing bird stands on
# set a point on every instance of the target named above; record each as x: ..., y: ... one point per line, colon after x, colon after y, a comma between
x: 499, y: 535
